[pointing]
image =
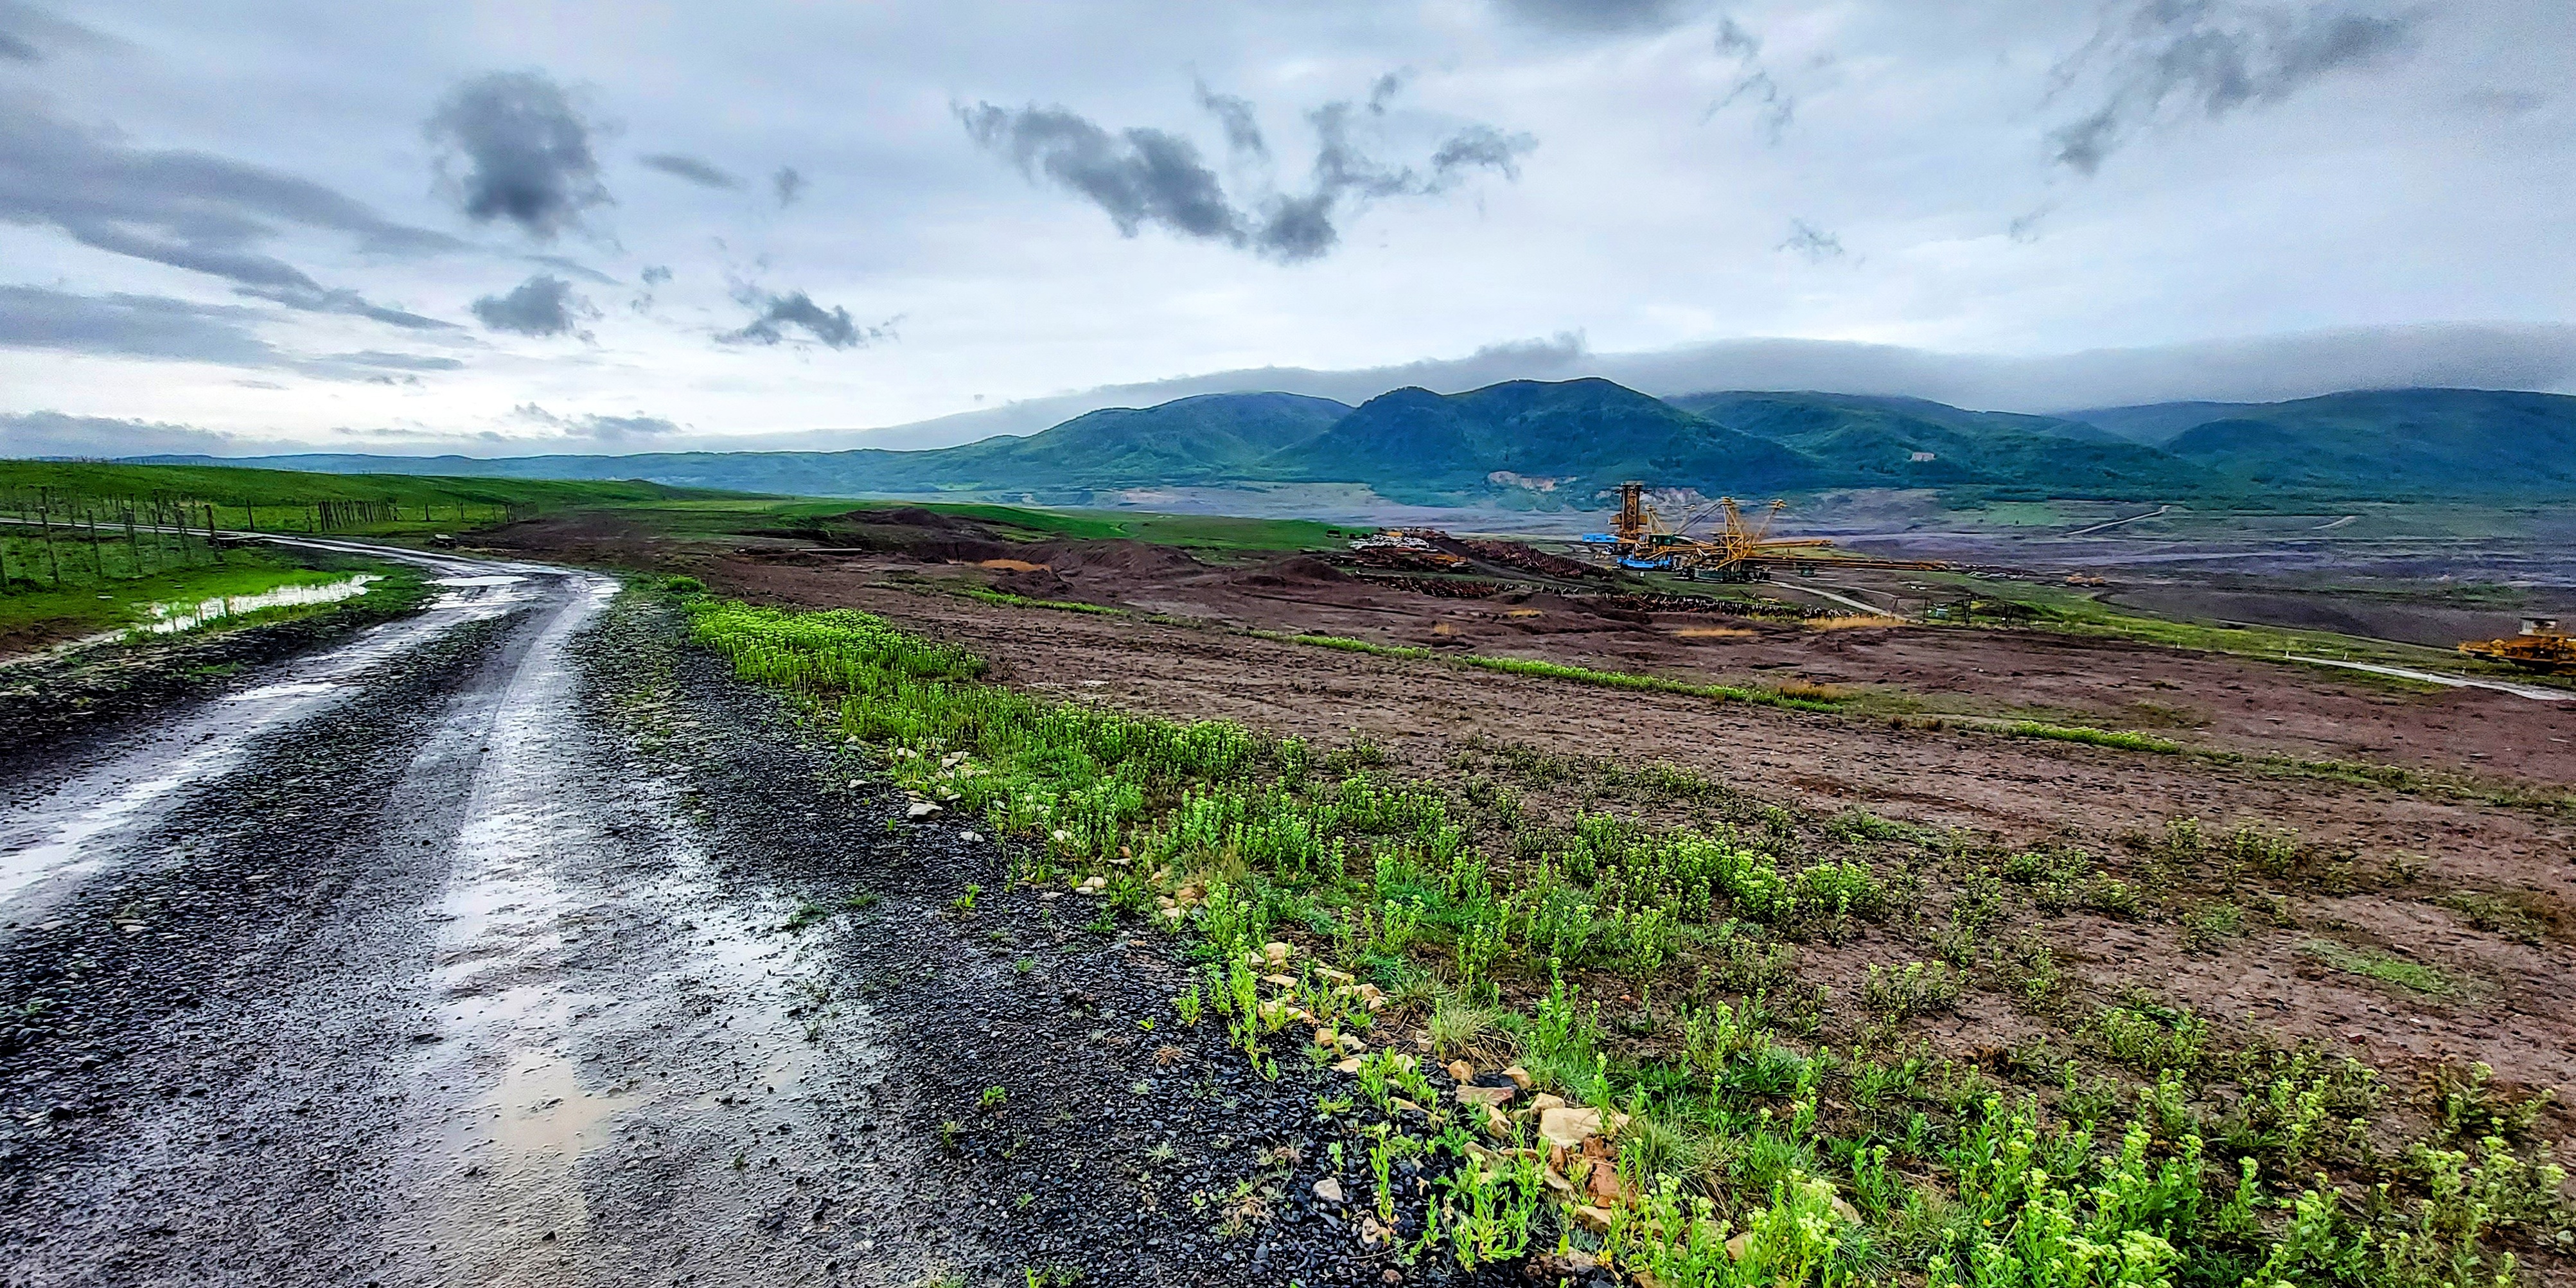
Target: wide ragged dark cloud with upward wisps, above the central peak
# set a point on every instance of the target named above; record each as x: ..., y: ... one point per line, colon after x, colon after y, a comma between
x: 1155, y: 179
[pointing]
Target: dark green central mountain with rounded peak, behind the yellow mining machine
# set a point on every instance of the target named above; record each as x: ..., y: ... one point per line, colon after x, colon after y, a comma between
x: 1570, y: 437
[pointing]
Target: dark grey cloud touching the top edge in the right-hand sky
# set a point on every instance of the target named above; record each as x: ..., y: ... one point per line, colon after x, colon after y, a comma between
x: 2157, y: 58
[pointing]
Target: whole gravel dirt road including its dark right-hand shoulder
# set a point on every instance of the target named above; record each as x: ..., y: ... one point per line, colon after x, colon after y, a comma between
x: 516, y: 944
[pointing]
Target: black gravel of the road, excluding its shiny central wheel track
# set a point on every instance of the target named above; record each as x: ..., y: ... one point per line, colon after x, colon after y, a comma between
x: 223, y: 1055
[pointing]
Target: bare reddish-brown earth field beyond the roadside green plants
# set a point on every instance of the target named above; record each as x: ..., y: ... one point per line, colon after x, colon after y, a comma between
x: 2402, y: 854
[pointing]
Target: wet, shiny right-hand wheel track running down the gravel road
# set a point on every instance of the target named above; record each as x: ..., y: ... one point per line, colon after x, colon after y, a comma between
x: 614, y: 1042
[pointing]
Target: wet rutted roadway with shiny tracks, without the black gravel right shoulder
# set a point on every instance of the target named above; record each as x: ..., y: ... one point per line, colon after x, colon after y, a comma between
x: 393, y: 967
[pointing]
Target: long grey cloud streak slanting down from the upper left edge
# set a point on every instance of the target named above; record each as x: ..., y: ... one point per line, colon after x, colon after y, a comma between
x: 189, y: 210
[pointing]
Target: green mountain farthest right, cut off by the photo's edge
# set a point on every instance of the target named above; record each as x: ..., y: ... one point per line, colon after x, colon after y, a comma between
x: 2397, y: 442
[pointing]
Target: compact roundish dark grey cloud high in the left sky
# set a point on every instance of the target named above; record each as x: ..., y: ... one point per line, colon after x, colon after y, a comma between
x: 516, y: 148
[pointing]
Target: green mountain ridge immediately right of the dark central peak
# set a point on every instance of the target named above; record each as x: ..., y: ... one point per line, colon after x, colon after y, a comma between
x: 1887, y: 442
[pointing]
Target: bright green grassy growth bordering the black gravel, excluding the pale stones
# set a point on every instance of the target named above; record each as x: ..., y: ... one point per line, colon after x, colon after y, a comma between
x: 1549, y: 954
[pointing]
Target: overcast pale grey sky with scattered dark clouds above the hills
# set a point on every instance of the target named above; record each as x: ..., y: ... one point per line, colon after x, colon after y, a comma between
x: 545, y: 225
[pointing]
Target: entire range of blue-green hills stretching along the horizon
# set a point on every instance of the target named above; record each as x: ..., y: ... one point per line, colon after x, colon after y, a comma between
x: 1560, y: 444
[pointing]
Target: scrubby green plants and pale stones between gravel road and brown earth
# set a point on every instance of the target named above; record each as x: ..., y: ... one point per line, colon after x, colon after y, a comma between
x: 1642, y: 1075
